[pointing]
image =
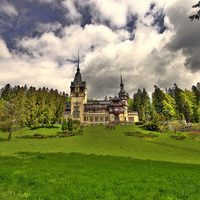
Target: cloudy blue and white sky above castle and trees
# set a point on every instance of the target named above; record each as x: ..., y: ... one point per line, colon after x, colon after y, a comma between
x: 150, y: 42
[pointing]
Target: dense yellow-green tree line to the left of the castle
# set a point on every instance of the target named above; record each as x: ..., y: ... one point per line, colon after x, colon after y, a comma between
x: 33, y: 106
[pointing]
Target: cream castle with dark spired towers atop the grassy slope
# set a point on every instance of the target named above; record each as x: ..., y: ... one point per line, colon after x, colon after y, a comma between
x: 114, y: 110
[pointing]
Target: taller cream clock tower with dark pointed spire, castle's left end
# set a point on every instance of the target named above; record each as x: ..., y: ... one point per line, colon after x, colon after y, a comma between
x: 78, y: 96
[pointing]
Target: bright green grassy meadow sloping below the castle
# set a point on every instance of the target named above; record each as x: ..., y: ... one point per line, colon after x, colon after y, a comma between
x: 100, y: 164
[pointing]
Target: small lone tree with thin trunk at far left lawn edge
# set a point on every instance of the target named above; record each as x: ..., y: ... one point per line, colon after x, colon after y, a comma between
x: 10, y: 118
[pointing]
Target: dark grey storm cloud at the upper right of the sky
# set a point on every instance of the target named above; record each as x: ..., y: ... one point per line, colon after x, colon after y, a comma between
x: 186, y: 38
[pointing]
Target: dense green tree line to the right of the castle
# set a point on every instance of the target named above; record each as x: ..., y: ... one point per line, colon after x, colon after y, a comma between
x: 171, y: 104
